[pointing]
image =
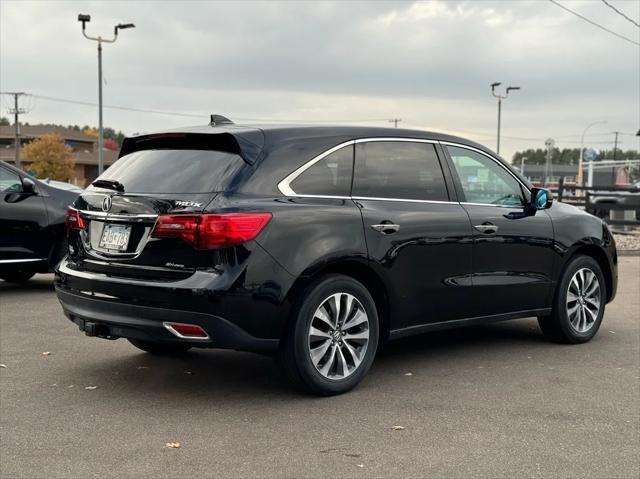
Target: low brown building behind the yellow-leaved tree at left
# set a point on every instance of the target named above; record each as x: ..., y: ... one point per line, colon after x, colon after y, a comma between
x: 84, y: 148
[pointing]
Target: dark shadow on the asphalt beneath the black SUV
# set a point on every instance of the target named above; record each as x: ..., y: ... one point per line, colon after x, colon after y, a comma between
x: 217, y: 376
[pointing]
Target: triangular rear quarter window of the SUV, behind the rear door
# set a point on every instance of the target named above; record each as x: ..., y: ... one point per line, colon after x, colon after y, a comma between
x: 331, y: 176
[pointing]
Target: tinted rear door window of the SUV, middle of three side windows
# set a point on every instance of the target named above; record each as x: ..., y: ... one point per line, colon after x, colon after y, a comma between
x: 398, y: 169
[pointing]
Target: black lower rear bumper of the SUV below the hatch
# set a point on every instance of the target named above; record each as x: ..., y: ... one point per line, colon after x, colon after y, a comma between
x: 112, y: 320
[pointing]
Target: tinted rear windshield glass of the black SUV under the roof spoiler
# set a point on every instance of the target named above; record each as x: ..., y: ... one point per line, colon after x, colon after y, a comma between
x: 175, y: 171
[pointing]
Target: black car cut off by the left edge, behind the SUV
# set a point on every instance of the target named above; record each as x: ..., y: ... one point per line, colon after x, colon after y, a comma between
x: 33, y: 237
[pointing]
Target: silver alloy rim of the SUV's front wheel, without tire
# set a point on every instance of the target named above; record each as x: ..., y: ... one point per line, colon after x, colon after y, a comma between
x: 583, y: 300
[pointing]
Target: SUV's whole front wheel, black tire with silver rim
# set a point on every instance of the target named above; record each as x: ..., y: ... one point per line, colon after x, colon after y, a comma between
x: 576, y: 321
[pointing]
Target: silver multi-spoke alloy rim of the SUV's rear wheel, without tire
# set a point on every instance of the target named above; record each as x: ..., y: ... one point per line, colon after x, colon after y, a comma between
x: 338, y: 336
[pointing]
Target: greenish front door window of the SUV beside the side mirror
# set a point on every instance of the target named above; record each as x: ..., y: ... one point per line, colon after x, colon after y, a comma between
x: 483, y: 180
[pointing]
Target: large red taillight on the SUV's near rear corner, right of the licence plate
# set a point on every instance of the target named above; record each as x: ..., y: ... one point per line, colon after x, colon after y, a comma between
x: 207, y: 231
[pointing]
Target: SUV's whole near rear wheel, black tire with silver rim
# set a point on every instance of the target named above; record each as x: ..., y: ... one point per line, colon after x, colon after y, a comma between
x: 348, y: 351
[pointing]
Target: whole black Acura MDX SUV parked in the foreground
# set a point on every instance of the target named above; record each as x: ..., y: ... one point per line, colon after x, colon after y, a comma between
x: 321, y: 243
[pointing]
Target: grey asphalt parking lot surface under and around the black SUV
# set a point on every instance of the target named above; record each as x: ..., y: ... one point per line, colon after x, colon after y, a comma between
x: 492, y: 401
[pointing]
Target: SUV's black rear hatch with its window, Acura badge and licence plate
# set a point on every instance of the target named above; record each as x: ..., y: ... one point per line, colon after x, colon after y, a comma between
x: 118, y: 213
